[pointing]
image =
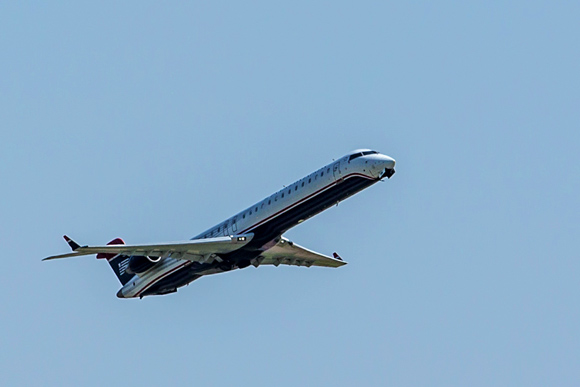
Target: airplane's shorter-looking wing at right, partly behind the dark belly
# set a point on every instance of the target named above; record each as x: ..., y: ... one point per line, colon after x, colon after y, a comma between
x: 286, y: 252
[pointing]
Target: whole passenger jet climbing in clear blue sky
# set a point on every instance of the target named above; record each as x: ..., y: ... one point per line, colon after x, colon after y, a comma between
x: 251, y: 237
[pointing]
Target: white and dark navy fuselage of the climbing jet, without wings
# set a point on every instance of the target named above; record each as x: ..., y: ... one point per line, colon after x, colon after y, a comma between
x: 272, y: 216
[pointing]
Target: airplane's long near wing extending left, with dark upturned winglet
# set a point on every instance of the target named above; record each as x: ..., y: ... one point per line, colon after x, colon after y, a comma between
x: 192, y: 250
